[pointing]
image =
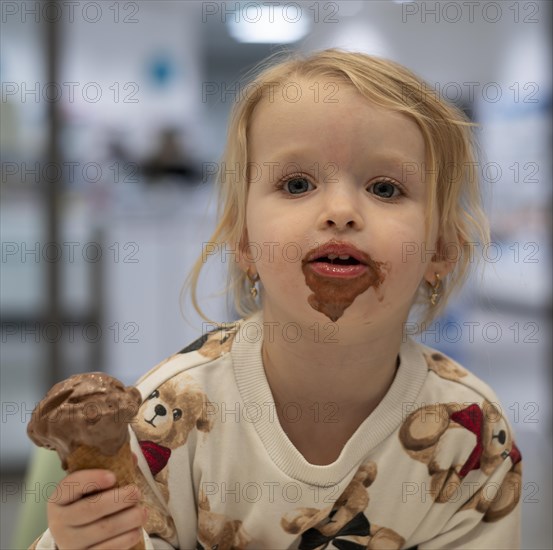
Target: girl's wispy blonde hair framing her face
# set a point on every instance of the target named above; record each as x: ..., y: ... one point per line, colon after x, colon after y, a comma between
x: 451, y: 158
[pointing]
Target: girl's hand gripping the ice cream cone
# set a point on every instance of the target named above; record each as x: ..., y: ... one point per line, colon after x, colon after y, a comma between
x: 87, y: 511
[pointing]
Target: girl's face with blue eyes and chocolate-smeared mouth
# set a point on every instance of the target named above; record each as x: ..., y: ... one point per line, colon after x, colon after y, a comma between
x: 334, y: 168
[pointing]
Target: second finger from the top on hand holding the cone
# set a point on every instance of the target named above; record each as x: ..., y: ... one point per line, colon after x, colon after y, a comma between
x: 93, y: 508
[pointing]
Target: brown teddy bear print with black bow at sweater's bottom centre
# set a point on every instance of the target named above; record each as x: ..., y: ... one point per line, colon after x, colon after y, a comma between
x: 344, y: 525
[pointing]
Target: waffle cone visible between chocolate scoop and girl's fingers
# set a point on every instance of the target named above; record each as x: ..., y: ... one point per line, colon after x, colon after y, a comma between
x: 121, y: 464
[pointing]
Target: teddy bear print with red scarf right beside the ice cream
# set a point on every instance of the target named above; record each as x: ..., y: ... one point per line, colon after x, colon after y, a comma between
x: 163, y: 423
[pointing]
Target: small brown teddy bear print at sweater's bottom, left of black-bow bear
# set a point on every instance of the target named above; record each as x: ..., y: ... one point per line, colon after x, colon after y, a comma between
x: 217, y: 531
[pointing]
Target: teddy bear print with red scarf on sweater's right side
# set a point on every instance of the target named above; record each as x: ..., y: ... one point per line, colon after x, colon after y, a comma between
x: 423, y: 434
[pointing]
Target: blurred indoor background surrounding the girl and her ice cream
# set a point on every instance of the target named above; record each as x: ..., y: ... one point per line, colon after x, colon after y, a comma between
x: 113, y: 115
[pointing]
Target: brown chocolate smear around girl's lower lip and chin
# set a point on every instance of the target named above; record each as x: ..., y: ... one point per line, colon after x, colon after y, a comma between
x: 332, y: 295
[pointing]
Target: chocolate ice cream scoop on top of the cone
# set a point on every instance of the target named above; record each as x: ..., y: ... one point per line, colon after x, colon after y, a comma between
x: 92, y: 410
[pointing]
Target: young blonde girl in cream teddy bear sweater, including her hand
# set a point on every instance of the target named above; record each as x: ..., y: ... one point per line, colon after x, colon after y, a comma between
x: 349, y: 196
